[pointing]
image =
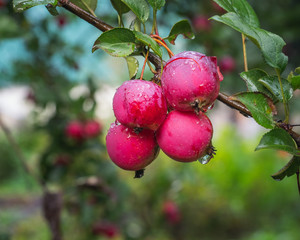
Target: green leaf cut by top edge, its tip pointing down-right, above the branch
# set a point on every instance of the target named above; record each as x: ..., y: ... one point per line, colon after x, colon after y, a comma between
x: 140, y: 8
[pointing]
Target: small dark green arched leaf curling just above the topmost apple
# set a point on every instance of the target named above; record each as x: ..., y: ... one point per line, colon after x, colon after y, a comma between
x: 182, y: 27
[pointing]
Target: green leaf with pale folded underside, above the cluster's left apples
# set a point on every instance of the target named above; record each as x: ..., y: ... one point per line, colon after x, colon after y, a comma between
x: 118, y: 42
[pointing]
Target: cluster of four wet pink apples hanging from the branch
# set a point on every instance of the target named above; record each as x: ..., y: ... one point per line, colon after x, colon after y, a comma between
x: 171, y: 117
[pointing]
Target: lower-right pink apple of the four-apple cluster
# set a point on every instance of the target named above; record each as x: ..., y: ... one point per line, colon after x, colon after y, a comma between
x: 185, y: 136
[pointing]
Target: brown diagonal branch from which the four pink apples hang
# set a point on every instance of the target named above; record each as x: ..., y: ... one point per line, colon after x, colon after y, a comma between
x: 157, y: 62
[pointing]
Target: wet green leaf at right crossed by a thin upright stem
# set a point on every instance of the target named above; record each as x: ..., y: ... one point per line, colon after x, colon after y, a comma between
x: 272, y: 84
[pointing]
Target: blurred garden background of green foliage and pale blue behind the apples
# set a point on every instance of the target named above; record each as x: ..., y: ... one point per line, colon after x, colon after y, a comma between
x: 51, y: 83
